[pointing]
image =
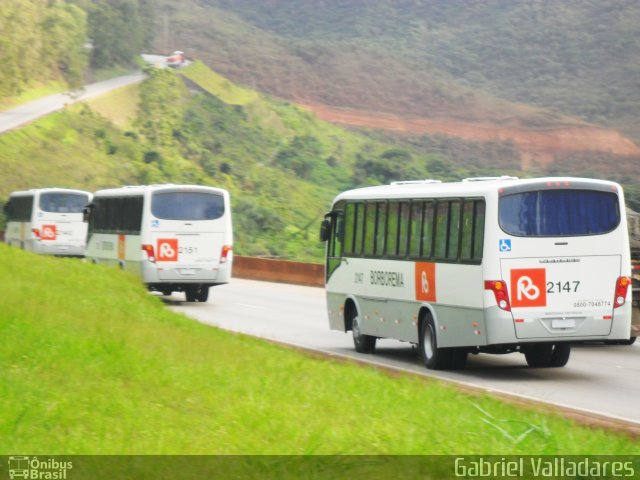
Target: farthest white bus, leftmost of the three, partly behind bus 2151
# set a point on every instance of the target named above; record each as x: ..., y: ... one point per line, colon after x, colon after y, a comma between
x: 47, y: 220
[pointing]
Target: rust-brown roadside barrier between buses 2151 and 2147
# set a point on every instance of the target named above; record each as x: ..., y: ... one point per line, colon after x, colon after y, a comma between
x: 283, y: 271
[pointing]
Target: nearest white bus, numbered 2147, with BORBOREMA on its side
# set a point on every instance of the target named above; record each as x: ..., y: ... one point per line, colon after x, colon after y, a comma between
x: 483, y: 265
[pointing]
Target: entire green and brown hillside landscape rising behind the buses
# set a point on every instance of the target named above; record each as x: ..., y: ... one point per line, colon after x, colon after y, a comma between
x: 442, y: 89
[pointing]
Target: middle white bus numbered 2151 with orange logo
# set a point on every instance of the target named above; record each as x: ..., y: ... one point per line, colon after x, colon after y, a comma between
x: 177, y: 238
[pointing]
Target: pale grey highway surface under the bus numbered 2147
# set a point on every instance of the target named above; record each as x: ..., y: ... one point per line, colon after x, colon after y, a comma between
x: 599, y: 380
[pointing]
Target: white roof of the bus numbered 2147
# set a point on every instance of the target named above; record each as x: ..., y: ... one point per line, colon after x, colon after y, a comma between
x: 467, y: 187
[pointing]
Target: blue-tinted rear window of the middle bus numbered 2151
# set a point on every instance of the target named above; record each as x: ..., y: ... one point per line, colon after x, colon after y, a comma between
x: 187, y: 205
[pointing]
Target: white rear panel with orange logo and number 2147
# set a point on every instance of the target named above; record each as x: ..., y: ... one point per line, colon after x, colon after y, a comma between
x: 562, y: 296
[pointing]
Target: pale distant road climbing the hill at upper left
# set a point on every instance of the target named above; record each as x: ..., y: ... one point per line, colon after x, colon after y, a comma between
x: 28, y: 112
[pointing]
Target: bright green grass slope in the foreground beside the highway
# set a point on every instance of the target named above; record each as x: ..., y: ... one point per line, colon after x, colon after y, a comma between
x: 92, y: 364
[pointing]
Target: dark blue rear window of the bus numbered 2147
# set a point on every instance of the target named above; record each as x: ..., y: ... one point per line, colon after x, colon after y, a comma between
x: 559, y: 213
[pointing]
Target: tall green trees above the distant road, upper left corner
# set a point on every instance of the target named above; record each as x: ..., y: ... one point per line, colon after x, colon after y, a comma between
x: 44, y: 41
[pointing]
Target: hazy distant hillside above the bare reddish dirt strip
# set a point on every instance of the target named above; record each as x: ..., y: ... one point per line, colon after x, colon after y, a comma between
x: 576, y: 57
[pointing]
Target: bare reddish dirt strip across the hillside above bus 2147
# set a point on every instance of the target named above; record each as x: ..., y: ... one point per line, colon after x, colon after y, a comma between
x: 538, y: 147
